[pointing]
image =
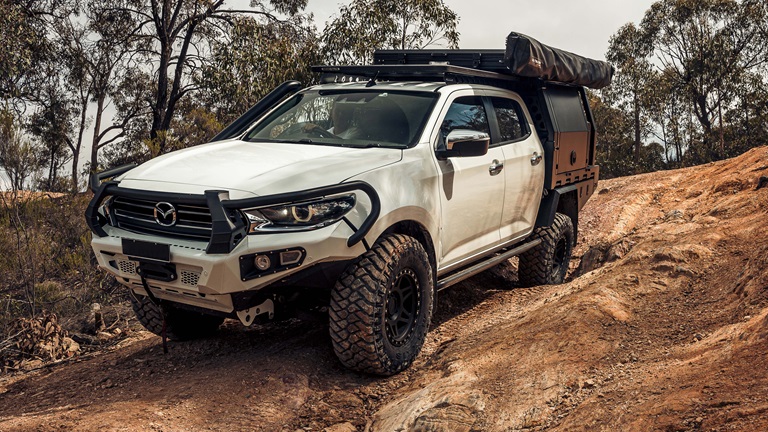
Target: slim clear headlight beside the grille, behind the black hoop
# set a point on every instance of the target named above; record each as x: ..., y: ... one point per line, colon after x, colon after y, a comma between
x: 299, y: 216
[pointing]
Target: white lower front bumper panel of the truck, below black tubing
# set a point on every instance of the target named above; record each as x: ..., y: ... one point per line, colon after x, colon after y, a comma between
x: 209, y: 280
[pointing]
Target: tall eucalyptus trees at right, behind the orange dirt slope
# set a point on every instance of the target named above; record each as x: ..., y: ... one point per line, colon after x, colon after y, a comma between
x: 693, y: 75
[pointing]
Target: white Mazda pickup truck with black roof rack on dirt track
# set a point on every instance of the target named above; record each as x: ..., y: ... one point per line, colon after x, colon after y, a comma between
x: 367, y: 193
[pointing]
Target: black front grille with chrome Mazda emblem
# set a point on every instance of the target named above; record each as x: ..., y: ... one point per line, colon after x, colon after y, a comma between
x: 138, y: 215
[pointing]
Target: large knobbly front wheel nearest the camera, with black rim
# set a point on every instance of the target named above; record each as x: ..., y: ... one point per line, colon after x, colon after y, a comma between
x: 381, y: 307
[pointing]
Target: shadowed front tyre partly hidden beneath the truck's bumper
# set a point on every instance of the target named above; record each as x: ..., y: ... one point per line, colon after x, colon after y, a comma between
x: 180, y: 324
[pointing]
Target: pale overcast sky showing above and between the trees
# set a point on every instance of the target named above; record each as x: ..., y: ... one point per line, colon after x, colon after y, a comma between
x: 583, y: 27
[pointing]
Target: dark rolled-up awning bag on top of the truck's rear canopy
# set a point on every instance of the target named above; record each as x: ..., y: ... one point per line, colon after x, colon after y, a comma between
x: 525, y: 56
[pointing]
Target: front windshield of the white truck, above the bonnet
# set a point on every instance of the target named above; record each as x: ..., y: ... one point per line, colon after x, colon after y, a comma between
x: 358, y: 118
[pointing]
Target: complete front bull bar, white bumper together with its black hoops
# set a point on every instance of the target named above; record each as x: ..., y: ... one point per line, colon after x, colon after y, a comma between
x: 206, y: 274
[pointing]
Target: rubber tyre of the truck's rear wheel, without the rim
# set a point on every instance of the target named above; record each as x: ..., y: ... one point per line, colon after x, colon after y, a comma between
x: 535, y: 266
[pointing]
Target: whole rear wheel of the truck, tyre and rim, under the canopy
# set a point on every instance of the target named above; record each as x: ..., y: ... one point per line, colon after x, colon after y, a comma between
x: 547, y: 263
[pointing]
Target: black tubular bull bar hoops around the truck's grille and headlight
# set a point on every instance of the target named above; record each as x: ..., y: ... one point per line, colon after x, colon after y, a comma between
x: 226, y: 233
